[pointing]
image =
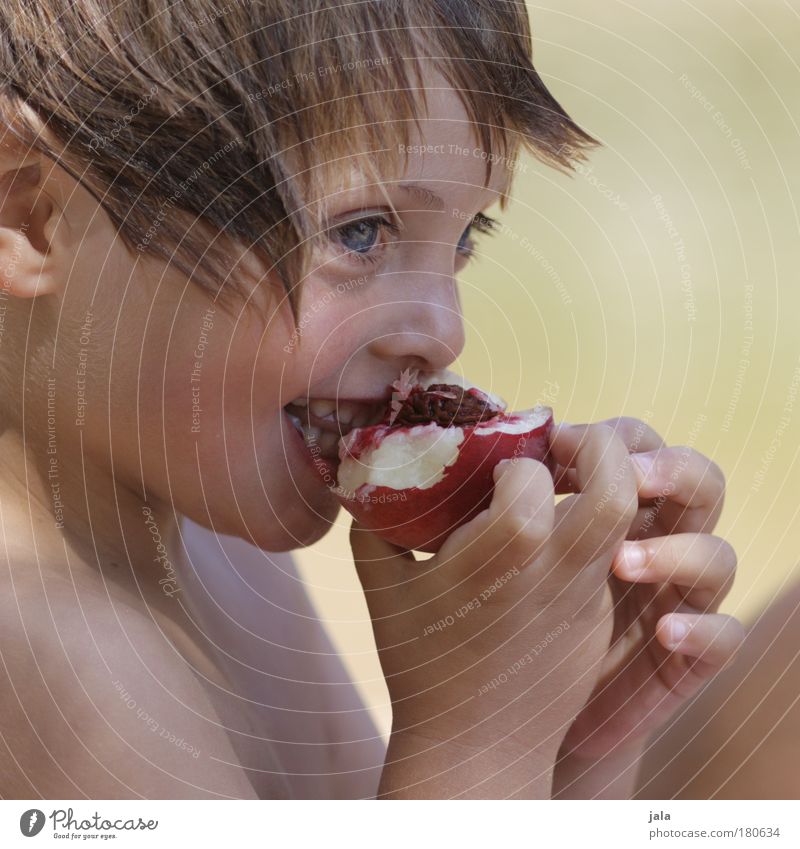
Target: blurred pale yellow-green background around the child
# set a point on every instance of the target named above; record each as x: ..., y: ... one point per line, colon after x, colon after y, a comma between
x: 660, y: 281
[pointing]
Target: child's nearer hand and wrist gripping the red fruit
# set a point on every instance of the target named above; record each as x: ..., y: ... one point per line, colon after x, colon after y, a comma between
x: 492, y: 647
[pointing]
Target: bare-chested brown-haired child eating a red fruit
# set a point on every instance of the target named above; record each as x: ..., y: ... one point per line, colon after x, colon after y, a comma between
x: 205, y: 225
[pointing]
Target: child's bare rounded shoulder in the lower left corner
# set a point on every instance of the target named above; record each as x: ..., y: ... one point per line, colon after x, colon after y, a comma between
x: 95, y: 701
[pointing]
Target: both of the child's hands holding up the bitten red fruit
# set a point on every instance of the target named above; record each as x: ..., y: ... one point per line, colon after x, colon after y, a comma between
x: 590, y: 749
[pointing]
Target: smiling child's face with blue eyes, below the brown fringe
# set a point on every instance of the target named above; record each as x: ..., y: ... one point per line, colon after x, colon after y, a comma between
x: 198, y: 395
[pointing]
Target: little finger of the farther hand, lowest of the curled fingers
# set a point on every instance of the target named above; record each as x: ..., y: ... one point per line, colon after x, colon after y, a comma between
x: 712, y: 639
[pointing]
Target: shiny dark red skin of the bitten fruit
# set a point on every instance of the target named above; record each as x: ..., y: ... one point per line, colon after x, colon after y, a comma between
x: 421, y: 519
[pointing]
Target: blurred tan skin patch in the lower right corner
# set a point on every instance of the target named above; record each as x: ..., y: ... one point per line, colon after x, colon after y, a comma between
x: 737, y: 738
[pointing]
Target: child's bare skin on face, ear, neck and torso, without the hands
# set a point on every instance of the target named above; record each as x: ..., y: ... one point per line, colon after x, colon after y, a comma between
x: 245, y: 474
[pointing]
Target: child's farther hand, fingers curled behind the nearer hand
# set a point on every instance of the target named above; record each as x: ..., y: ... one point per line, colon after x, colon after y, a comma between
x: 652, y: 667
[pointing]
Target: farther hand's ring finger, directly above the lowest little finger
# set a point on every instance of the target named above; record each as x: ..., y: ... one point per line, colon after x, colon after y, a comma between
x: 703, y: 566
